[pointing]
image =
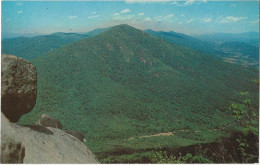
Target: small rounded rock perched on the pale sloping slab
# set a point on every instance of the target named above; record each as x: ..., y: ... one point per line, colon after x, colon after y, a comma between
x: 48, y: 121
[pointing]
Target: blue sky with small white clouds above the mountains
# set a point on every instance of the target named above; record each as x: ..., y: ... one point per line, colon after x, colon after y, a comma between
x: 189, y: 17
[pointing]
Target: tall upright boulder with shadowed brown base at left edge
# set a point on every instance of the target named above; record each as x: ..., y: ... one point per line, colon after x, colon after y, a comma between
x: 18, y: 90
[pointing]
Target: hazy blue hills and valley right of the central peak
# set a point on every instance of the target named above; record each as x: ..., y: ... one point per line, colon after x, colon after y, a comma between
x: 241, y: 53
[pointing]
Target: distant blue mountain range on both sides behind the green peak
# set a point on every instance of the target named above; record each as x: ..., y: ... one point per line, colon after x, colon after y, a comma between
x: 233, y: 48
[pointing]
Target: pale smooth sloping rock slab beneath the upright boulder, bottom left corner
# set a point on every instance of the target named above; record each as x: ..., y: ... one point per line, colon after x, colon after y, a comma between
x: 44, y: 146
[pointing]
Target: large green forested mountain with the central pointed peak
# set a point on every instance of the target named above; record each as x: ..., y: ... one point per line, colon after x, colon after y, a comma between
x: 124, y: 83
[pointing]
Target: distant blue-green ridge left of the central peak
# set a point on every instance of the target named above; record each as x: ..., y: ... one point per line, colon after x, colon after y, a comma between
x: 31, y: 47
